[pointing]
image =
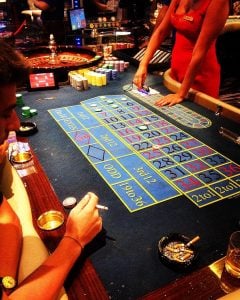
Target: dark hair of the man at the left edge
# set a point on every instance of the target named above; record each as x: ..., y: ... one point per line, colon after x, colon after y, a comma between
x: 13, y: 65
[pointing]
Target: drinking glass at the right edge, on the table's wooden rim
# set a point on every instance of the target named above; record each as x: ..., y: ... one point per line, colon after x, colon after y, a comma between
x: 232, y: 261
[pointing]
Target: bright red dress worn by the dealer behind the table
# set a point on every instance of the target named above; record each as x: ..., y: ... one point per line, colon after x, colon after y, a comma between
x: 187, y: 27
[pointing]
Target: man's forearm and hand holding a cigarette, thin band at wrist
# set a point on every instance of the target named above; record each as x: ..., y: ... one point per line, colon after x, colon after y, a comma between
x: 83, y: 224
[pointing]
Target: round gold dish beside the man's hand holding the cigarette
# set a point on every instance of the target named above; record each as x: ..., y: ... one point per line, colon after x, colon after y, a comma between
x: 50, y: 220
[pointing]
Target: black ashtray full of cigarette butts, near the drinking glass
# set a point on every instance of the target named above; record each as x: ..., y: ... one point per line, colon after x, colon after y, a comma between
x: 177, y: 251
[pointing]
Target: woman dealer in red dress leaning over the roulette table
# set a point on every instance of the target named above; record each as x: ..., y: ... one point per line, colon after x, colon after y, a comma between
x: 197, y: 24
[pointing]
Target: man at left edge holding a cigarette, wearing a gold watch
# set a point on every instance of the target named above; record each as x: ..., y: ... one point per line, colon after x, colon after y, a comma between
x: 82, y: 225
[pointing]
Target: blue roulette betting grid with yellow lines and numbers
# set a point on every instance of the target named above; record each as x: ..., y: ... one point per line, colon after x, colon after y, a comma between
x: 144, y: 158
